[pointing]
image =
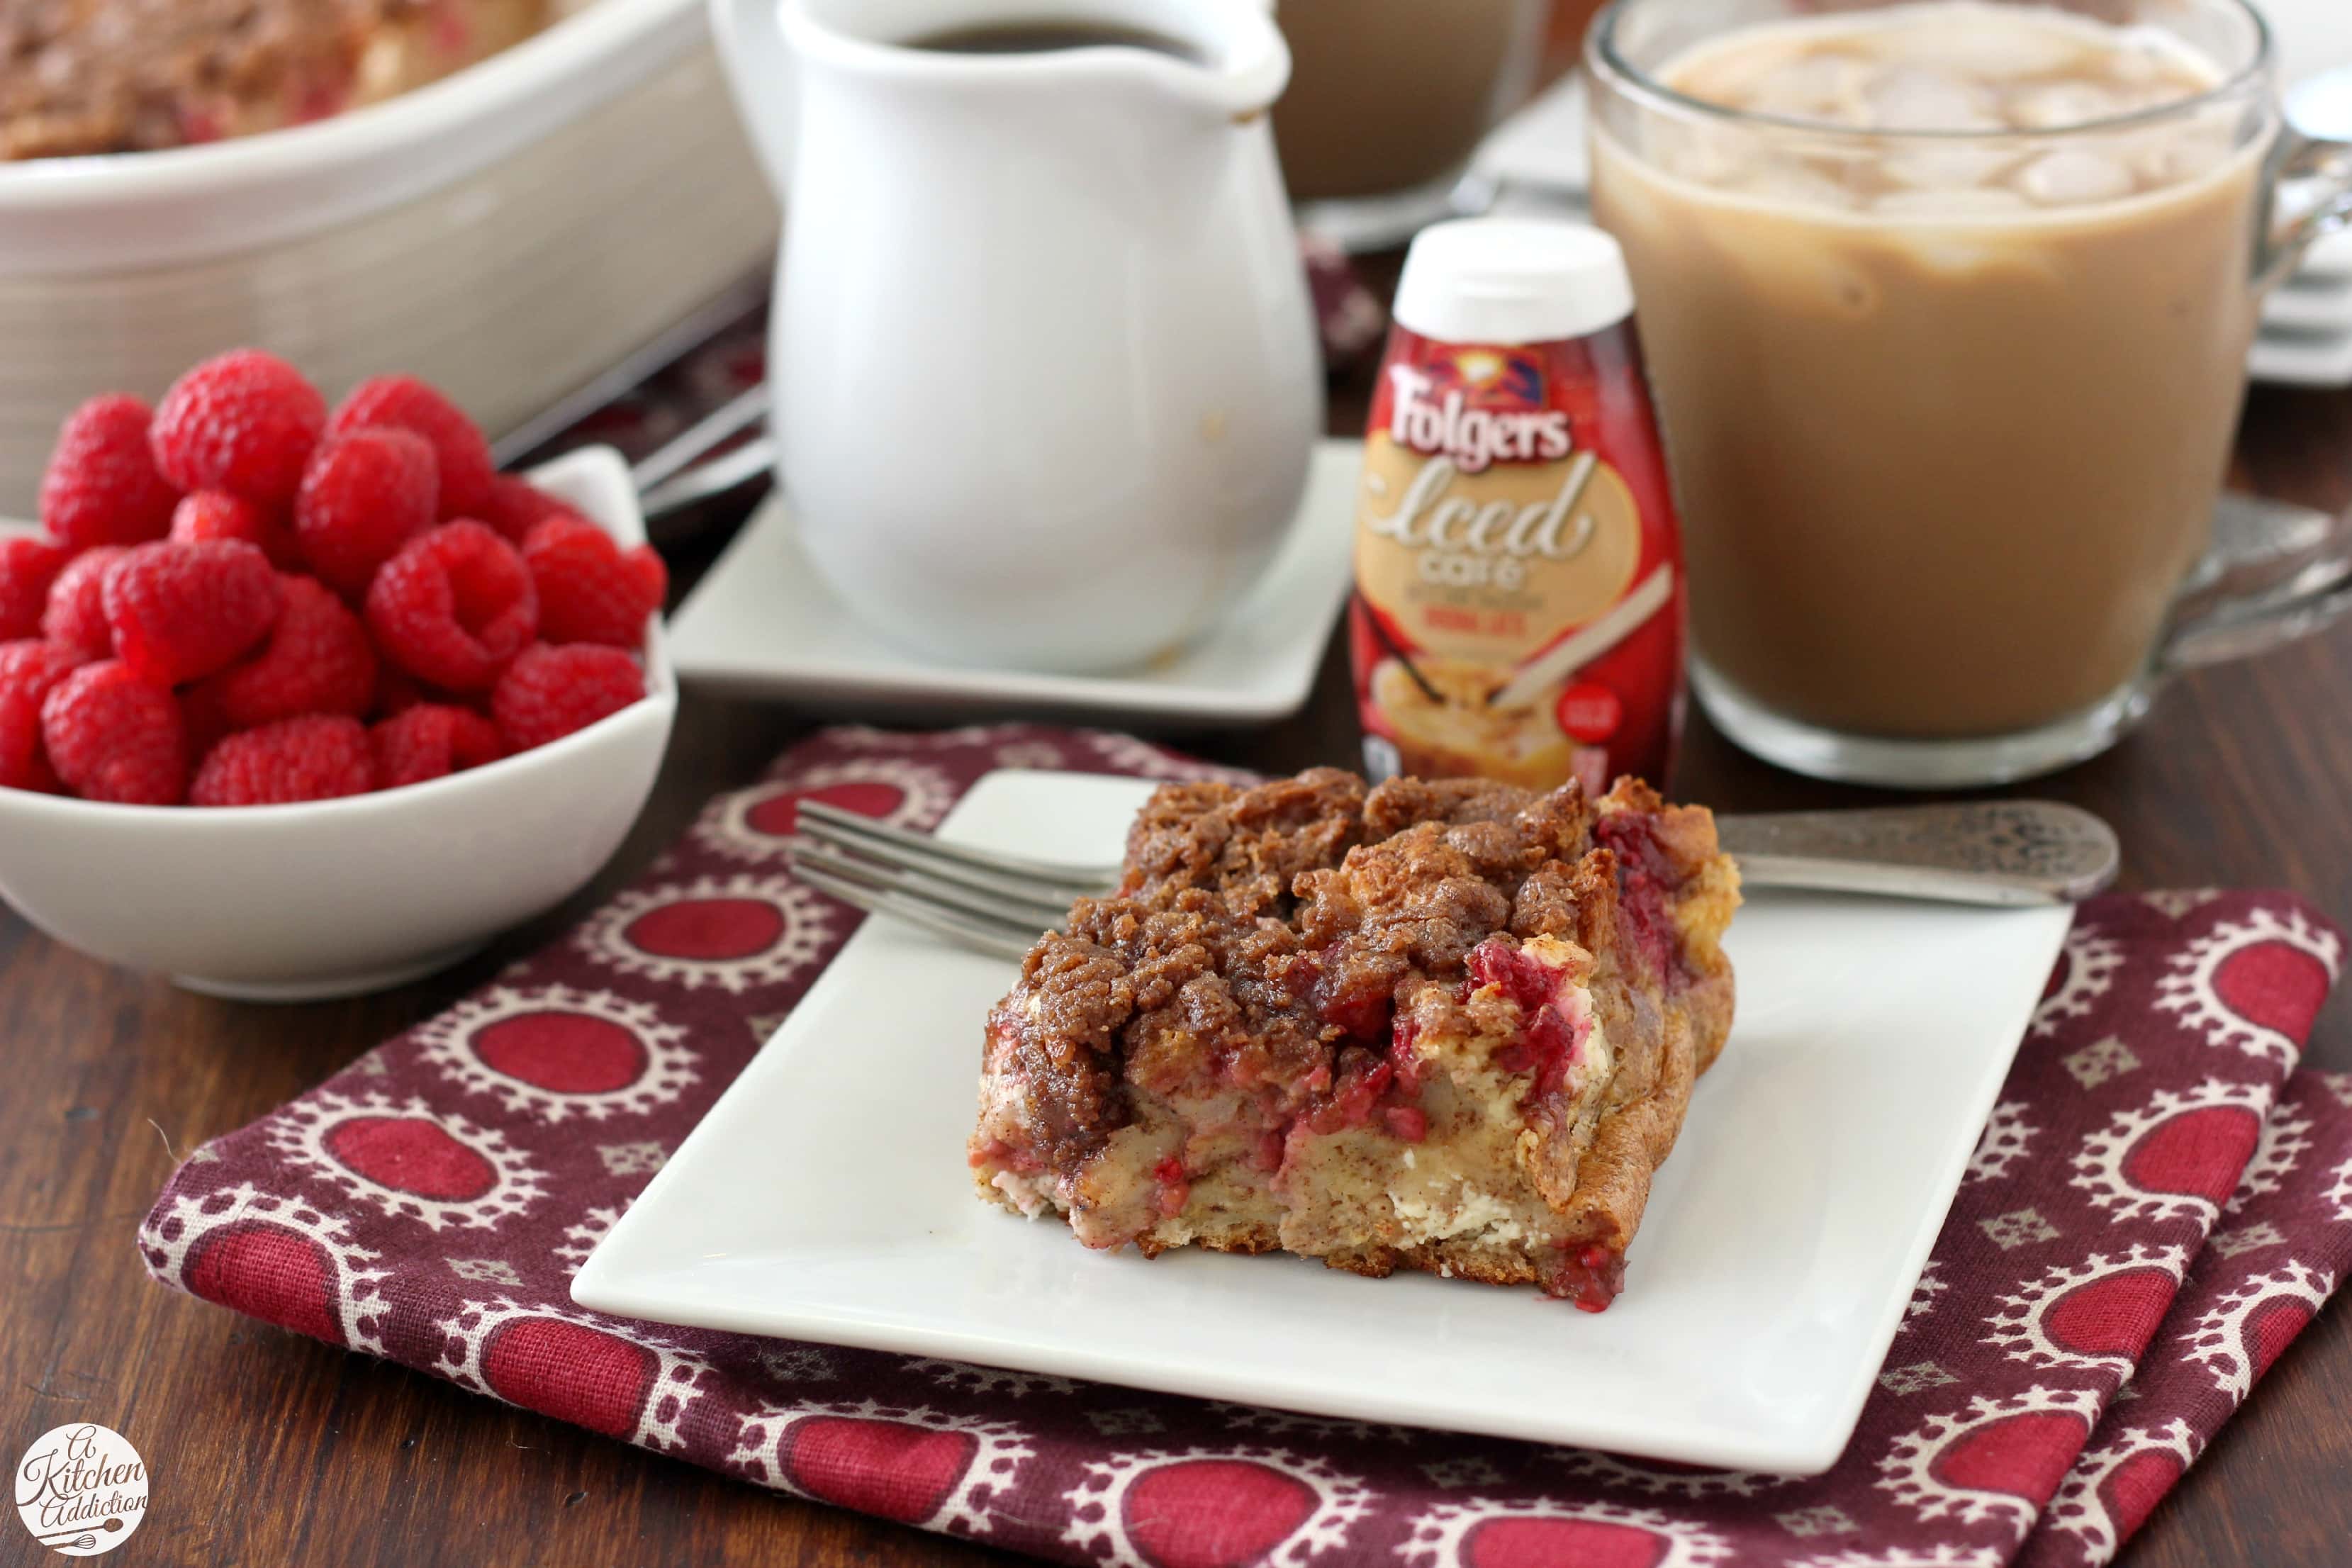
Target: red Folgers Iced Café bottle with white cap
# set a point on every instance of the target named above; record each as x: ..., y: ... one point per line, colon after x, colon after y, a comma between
x: 1518, y: 563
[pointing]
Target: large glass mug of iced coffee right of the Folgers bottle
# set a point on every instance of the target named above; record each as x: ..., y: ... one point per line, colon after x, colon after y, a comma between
x: 1949, y: 309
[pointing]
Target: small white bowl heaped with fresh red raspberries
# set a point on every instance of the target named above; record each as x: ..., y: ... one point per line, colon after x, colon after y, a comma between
x: 382, y: 782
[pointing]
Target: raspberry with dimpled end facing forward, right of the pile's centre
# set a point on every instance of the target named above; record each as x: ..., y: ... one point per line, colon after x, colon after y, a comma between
x: 453, y: 608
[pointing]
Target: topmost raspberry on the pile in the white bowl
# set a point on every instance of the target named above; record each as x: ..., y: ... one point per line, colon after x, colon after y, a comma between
x: 243, y: 422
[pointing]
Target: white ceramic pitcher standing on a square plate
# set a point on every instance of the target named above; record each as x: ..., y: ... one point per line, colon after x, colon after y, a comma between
x: 1043, y: 356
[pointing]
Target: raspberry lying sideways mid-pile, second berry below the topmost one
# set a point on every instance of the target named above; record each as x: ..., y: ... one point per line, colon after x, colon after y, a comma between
x: 189, y: 610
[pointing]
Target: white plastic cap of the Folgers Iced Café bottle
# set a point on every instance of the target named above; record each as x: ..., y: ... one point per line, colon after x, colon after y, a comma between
x: 1514, y: 281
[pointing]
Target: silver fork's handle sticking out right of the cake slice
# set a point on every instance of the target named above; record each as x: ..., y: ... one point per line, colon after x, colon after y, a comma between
x: 1998, y: 852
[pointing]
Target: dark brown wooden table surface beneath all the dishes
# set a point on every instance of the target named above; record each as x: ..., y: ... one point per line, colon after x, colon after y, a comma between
x: 274, y: 1449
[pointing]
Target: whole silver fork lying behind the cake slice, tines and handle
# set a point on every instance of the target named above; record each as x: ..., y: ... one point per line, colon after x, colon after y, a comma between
x: 2007, y: 855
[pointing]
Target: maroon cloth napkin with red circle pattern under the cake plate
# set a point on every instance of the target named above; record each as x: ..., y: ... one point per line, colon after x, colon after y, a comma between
x: 2156, y: 1212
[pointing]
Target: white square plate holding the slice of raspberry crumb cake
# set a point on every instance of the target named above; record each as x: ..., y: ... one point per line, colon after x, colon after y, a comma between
x: 827, y: 1198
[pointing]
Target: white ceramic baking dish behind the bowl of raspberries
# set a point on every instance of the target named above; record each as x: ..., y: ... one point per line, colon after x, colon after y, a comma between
x: 505, y: 234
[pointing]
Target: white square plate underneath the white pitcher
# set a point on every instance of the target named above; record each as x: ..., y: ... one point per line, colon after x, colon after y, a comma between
x: 766, y: 624
